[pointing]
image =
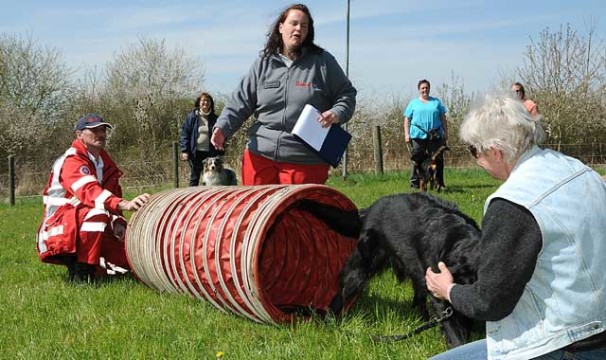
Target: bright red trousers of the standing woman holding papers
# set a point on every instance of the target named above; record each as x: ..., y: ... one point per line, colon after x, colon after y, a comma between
x: 257, y: 170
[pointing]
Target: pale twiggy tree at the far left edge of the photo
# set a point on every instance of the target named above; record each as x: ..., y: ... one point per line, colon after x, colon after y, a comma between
x: 35, y: 90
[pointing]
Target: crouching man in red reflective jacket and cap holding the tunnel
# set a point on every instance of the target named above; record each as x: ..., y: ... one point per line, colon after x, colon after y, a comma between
x: 83, y: 227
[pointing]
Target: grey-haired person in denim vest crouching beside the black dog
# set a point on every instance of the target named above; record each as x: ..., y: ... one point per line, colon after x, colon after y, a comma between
x: 541, y: 281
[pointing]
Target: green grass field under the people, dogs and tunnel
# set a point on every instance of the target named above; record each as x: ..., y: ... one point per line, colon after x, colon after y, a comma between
x: 44, y: 317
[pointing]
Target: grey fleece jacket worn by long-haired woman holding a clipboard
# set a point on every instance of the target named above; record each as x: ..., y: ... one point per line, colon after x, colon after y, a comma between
x: 276, y: 94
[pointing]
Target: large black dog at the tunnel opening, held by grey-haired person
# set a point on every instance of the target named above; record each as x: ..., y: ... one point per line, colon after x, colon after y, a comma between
x: 409, y: 233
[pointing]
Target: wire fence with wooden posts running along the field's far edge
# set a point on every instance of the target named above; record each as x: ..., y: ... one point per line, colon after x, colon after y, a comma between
x: 27, y: 177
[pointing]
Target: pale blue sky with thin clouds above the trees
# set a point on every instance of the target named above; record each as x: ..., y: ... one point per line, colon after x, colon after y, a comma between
x: 393, y: 43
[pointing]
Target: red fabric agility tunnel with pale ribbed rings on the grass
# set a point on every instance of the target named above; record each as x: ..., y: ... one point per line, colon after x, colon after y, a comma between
x: 251, y: 250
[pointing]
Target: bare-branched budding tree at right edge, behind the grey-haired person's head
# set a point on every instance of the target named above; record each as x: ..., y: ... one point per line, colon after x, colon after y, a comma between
x: 565, y: 73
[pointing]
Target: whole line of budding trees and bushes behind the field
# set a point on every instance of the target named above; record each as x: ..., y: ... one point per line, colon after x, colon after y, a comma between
x: 147, y: 89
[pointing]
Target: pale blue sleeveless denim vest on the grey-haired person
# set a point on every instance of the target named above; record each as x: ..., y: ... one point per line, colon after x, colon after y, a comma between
x: 564, y: 301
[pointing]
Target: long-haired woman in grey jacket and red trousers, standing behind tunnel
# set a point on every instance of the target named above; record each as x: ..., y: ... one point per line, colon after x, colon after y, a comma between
x: 291, y: 71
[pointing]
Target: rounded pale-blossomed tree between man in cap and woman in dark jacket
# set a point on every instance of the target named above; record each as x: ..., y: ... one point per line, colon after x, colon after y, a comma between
x: 146, y: 85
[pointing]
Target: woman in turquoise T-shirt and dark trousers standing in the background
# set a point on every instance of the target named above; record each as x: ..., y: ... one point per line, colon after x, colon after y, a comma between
x: 426, y: 130
